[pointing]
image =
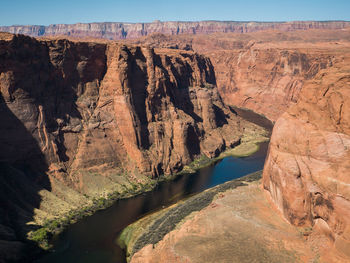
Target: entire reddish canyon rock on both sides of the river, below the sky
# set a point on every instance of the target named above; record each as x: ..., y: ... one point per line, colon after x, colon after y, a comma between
x: 87, y: 118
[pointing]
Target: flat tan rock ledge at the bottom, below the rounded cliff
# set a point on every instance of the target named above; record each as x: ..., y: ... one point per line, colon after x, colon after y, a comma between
x: 238, y: 226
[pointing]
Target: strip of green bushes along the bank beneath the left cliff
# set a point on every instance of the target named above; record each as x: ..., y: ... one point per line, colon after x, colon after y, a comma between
x: 247, y: 145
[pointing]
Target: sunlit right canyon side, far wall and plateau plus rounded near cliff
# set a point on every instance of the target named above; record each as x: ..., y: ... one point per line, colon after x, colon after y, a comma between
x: 300, y: 79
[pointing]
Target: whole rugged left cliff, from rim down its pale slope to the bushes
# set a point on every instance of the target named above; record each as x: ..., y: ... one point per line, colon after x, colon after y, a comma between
x: 81, y: 119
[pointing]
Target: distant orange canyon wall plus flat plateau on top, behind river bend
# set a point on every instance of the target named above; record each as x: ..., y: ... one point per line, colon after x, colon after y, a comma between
x: 262, y: 71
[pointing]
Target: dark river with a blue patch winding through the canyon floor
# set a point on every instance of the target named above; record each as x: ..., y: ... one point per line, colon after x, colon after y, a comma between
x: 92, y: 240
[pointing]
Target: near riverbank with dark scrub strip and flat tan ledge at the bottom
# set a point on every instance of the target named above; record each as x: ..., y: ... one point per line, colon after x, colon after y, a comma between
x: 233, y: 222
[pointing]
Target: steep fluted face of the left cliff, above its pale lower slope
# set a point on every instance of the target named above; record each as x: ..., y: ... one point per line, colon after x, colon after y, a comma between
x: 89, y: 104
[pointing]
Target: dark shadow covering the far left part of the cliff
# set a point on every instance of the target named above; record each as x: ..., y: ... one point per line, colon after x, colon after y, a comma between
x: 42, y: 83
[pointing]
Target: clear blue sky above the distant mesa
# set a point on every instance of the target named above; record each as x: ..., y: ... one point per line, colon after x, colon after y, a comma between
x: 44, y: 12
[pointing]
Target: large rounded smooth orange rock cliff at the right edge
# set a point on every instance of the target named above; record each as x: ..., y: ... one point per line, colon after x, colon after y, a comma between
x: 307, y: 171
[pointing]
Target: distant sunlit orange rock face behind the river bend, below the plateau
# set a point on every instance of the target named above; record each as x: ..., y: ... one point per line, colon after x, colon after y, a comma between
x: 266, y: 80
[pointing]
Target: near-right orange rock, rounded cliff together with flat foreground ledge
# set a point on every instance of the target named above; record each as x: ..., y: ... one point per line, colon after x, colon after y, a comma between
x: 306, y: 178
